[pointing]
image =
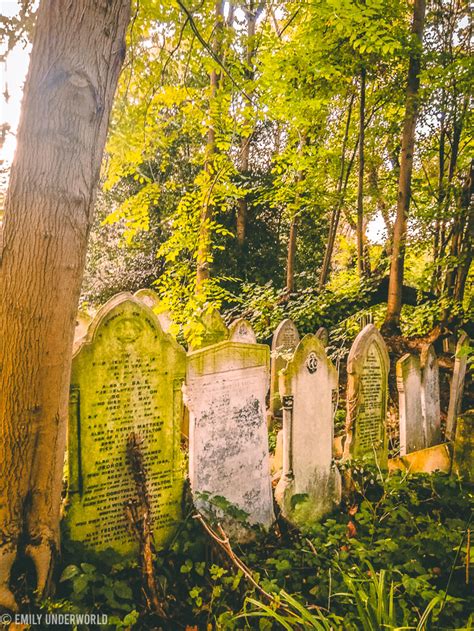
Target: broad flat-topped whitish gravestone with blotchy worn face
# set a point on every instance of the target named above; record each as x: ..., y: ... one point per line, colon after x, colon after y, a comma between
x: 229, y: 466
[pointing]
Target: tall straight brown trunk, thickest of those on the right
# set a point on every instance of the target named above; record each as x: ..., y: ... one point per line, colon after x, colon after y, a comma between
x: 394, y: 303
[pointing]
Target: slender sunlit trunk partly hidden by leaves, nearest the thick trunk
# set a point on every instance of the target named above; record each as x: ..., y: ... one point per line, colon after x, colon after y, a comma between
x: 204, y: 251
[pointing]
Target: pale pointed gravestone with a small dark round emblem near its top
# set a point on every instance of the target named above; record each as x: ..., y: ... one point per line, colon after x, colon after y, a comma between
x: 310, y: 485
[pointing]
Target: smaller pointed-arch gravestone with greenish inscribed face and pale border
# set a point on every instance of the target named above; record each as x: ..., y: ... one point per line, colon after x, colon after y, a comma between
x: 366, y: 399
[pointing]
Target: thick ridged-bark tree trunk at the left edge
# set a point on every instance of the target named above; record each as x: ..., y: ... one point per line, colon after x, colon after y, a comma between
x: 77, y: 54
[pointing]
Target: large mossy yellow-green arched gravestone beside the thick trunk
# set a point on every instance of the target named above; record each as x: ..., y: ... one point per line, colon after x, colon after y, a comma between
x: 126, y: 377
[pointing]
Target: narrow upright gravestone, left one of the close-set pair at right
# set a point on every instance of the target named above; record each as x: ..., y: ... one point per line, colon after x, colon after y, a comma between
x: 412, y: 434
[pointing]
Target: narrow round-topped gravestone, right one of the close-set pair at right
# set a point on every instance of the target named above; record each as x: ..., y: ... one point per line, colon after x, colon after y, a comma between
x: 430, y: 396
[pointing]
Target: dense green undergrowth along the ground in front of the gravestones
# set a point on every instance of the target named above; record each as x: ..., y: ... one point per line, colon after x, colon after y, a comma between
x: 395, y: 556
